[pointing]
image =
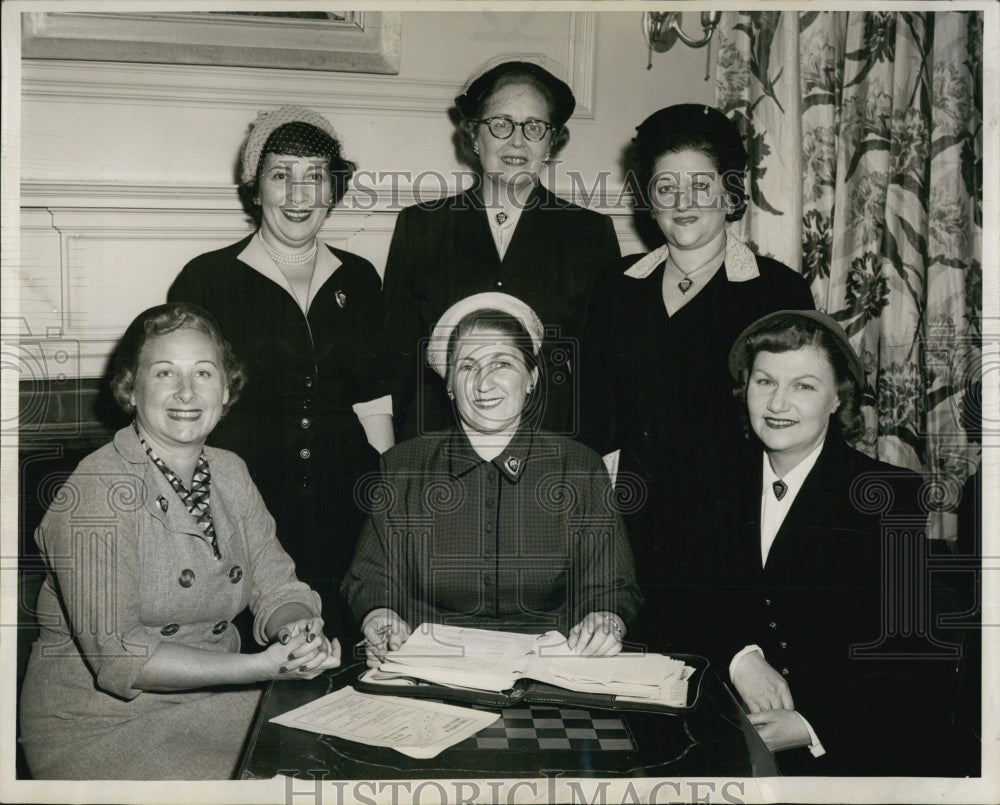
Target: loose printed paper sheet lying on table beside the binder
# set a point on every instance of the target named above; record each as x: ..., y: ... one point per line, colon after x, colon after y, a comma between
x: 417, y: 728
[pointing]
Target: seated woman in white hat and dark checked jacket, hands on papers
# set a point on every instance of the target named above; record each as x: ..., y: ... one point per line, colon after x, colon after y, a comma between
x: 492, y: 523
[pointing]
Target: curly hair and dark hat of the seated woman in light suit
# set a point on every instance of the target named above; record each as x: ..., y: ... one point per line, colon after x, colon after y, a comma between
x: 161, y: 320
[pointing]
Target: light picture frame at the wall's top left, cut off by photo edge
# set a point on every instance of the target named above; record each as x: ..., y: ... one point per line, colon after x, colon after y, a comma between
x: 345, y: 41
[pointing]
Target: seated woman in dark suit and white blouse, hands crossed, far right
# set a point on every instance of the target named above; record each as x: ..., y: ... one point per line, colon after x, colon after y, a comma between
x: 802, y: 552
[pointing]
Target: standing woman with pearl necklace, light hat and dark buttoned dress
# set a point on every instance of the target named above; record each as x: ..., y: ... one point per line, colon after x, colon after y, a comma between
x: 308, y: 320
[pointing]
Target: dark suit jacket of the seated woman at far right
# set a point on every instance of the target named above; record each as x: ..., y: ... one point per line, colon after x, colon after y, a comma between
x: 822, y: 608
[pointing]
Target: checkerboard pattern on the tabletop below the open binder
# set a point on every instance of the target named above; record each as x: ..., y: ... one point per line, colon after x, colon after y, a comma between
x: 531, y: 728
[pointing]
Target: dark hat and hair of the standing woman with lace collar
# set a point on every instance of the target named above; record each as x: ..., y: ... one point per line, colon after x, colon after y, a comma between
x: 697, y: 128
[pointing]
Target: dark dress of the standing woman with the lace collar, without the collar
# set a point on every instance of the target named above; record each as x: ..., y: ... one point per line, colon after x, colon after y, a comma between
x: 657, y: 388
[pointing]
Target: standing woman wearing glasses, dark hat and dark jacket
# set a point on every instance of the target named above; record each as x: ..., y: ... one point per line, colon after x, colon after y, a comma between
x: 506, y: 233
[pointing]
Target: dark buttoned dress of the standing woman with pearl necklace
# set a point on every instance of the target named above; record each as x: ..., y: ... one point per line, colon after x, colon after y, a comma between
x: 293, y: 424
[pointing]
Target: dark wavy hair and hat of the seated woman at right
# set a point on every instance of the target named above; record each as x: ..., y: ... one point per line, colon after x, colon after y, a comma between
x: 789, y: 334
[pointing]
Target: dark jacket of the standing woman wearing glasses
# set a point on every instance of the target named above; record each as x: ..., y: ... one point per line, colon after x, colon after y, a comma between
x: 443, y: 252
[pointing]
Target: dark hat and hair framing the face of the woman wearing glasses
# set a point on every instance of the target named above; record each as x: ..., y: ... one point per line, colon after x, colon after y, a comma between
x: 556, y: 93
